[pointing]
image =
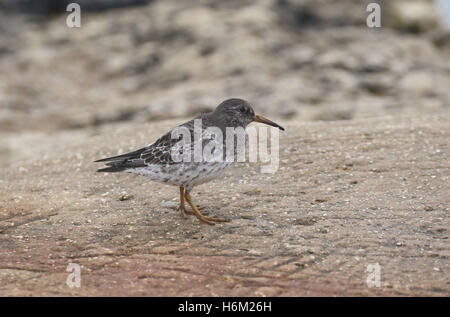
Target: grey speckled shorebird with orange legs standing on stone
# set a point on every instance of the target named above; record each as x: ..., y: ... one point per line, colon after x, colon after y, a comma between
x: 158, y: 162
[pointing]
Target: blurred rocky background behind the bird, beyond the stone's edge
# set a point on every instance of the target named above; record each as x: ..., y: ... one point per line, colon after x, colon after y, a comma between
x: 135, y: 61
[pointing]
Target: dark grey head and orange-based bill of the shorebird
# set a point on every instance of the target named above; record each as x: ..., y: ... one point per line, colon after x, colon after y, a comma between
x: 238, y: 113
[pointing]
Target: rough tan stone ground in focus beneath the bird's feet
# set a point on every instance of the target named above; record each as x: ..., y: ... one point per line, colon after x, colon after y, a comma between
x: 347, y: 194
